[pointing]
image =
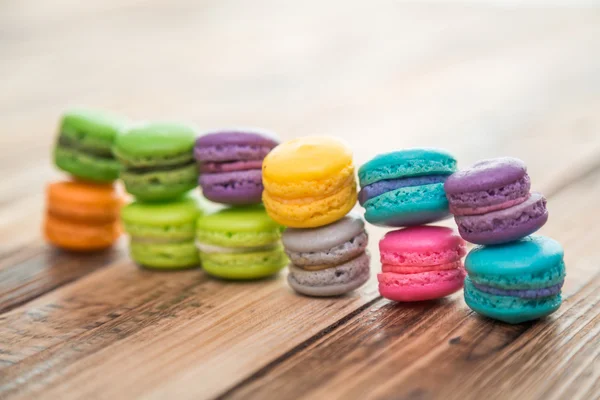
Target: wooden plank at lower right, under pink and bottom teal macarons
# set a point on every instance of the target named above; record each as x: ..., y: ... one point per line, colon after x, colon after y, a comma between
x: 443, y: 350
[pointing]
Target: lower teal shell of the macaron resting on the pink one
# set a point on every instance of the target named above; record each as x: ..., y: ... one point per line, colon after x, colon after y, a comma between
x: 408, y: 206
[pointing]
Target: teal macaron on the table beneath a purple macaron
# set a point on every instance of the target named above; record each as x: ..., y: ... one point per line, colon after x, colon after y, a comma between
x: 516, y: 282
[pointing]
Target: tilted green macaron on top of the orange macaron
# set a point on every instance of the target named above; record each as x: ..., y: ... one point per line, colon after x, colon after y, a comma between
x: 83, y: 147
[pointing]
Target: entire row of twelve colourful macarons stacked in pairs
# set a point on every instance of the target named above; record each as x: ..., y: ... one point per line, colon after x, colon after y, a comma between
x: 309, y: 188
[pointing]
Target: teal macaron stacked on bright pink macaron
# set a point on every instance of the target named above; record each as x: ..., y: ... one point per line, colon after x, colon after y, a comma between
x: 406, y: 189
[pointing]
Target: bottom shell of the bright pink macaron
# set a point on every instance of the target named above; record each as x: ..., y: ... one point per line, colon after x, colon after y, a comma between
x: 420, y: 286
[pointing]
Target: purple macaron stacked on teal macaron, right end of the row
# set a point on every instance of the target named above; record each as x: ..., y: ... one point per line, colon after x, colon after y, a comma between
x: 512, y: 276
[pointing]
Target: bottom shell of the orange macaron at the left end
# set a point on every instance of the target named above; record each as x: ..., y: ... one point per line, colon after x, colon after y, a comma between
x: 77, y: 236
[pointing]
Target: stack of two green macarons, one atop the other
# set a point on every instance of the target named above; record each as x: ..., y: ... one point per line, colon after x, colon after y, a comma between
x: 158, y: 169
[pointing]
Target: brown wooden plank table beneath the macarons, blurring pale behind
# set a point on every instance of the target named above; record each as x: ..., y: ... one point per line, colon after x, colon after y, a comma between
x: 478, y: 78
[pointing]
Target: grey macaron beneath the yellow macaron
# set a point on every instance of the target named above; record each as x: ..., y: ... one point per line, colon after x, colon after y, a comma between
x: 330, y: 260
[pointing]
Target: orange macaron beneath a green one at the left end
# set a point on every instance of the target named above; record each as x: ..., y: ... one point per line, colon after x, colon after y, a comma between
x: 82, y: 216
